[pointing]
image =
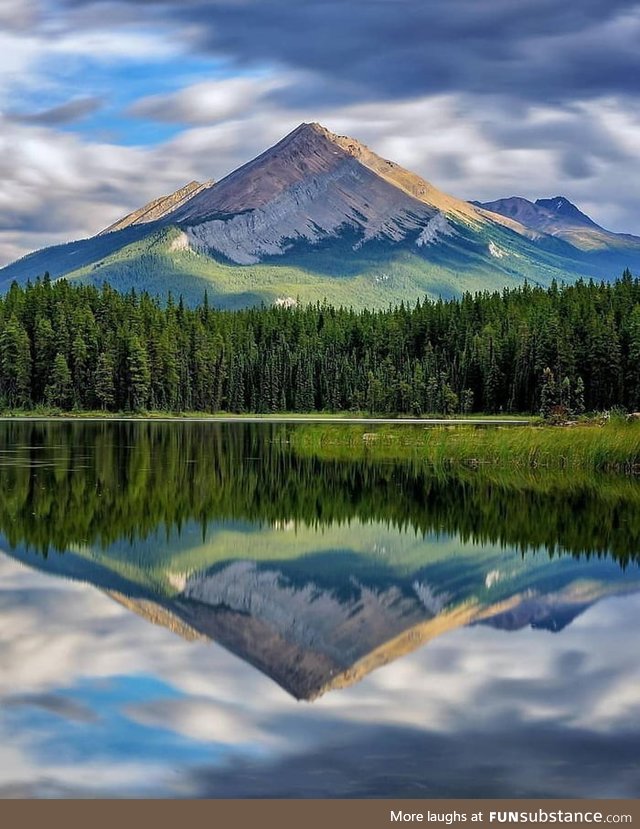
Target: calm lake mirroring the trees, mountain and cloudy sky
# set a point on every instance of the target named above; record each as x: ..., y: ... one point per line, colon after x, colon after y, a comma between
x: 213, y: 610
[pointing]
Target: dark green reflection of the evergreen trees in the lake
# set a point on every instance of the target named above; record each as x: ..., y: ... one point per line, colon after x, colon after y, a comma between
x: 96, y: 483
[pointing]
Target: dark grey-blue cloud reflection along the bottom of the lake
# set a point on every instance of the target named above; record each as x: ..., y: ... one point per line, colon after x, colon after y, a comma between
x: 515, y: 760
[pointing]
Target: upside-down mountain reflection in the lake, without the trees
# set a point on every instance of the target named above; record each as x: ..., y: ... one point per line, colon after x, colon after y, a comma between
x: 323, y: 620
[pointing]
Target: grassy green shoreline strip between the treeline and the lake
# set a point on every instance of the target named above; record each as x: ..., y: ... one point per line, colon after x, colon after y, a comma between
x: 516, y: 442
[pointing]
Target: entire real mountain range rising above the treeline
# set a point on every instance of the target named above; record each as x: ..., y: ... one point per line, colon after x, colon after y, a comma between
x: 318, y: 216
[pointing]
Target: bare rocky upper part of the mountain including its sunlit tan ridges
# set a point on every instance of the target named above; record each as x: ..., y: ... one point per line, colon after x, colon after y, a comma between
x: 311, y: 186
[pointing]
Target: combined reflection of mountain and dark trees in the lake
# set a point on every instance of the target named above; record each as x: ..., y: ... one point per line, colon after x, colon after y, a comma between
x: 315, y: 572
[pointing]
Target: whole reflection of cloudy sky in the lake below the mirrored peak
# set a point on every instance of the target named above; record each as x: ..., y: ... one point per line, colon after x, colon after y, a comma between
x: 555, y: 709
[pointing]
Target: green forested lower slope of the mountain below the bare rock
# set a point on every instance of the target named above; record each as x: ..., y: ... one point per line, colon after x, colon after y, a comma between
x: 380, y: 275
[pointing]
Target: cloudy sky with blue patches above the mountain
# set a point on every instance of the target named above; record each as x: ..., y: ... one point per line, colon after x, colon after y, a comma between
x: 106, y: 105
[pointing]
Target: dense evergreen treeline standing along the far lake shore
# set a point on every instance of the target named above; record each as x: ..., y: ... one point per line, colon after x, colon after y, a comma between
x: 574, y: 347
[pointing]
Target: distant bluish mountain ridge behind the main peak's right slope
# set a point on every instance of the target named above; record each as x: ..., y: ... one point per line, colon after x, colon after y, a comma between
x: 559, y: 218
